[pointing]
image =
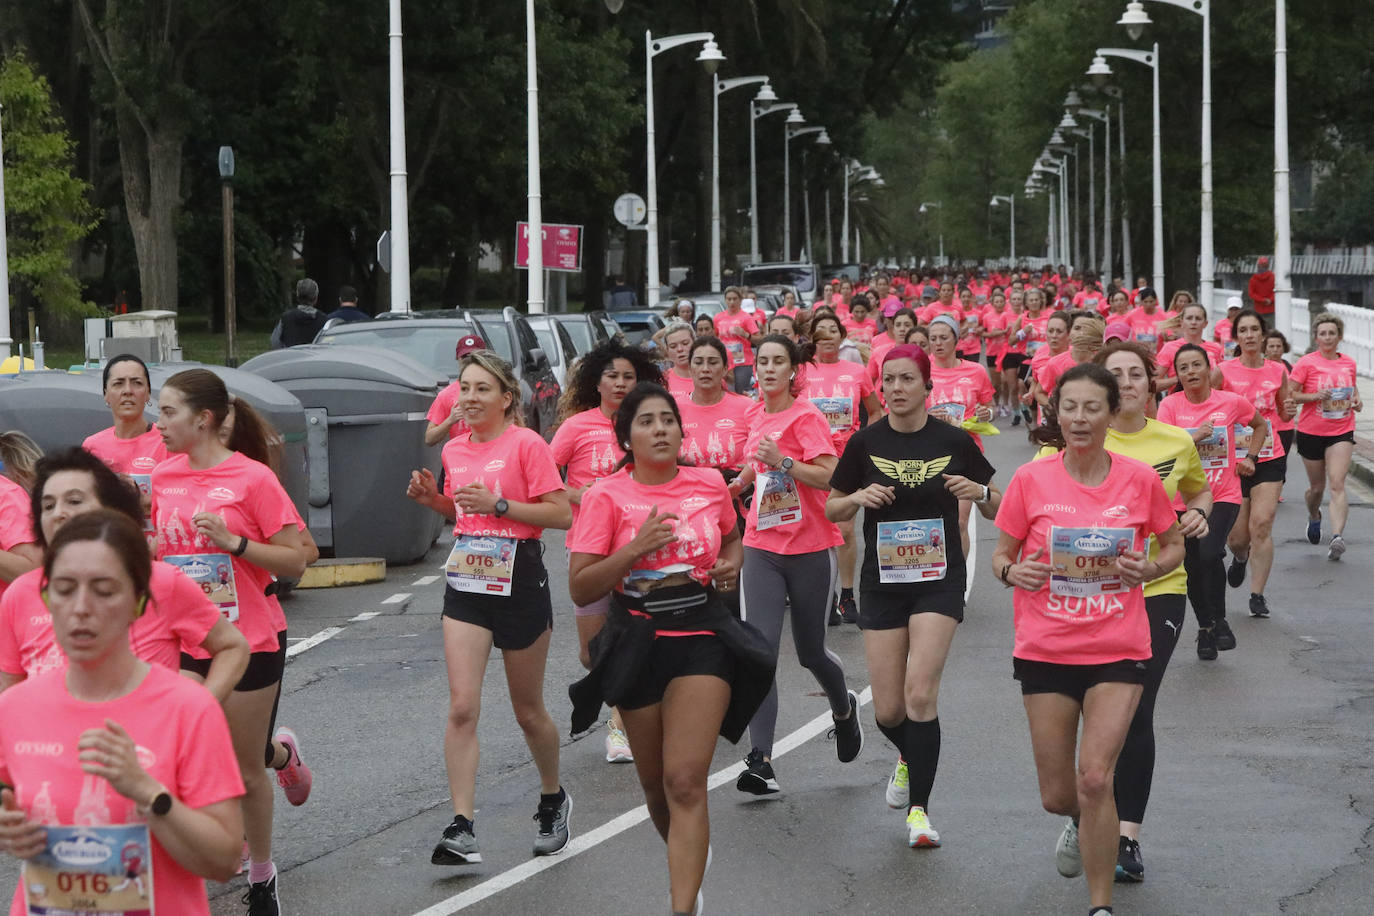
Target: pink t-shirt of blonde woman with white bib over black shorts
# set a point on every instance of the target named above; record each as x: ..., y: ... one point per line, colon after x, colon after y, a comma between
x: 516, y: 466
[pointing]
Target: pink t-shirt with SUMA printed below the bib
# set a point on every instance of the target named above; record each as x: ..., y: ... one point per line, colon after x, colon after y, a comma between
x: 1070, y: 630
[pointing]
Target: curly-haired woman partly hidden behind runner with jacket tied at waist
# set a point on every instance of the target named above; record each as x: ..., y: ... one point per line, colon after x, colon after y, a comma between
x: 586, y: 450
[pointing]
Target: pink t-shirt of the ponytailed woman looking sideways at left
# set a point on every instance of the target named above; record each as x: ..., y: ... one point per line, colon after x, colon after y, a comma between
x: 254, y: 505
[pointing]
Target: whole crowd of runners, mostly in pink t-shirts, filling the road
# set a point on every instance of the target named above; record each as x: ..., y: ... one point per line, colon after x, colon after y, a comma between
x: 714, y: 490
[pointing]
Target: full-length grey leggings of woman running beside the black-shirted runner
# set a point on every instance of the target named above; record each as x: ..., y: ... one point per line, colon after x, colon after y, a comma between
x: 766, y: 583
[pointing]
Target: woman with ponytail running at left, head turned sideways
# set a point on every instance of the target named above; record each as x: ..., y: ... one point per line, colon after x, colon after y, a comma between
x: 223, y: 509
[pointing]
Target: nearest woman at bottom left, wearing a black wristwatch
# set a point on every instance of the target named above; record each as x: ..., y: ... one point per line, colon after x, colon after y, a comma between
x: 149, y: 753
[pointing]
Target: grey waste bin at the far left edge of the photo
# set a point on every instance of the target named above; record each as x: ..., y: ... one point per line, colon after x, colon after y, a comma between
x: 56, y: 410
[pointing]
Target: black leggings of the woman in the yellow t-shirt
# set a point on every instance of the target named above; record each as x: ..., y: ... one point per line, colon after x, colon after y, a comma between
x: 1136, y: 766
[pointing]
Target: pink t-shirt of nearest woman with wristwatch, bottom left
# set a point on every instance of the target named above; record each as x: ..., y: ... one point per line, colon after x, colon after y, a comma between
x: 183, y: 742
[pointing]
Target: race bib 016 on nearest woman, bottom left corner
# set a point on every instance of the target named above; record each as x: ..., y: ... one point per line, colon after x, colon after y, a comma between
x: 91, y: 871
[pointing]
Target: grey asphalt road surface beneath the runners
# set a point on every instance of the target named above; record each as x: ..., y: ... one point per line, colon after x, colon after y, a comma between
x: 1262, y: 796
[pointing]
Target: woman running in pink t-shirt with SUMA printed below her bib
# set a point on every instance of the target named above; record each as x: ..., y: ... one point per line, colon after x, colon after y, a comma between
x: 1072, y: 546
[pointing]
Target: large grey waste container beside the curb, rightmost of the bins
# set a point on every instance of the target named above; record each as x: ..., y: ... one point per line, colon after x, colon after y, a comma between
x: 366, y: 413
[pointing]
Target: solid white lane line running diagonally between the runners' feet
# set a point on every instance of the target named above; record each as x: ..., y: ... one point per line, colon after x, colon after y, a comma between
x: 612, y: 829
